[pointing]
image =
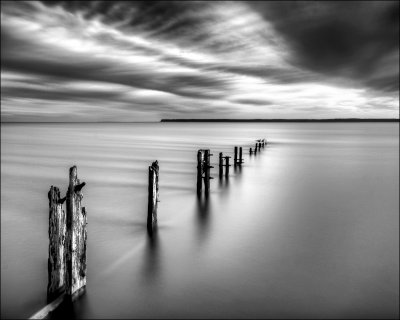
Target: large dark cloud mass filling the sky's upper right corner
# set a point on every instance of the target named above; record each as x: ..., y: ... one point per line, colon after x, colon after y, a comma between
x: 340, y: 38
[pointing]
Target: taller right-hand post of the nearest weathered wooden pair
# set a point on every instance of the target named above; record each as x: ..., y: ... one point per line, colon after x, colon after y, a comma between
x: 76, y: 236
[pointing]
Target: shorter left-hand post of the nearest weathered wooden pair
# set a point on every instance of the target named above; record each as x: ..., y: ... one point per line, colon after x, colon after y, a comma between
x: 56, y: 260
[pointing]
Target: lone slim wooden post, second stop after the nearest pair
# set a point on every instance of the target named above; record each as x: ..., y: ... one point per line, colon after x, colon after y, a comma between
x: 153, y: 196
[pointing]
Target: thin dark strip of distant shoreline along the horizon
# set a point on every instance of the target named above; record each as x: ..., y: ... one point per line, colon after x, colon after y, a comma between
x: 281, y: 120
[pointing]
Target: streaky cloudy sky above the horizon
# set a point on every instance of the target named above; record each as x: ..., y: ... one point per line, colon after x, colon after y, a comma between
x: 96, y: 61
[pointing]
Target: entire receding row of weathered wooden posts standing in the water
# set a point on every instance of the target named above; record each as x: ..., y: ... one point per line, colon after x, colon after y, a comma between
x: 68, y: 234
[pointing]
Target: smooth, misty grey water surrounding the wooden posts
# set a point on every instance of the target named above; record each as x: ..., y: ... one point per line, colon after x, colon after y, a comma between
x: 307, y: 228
